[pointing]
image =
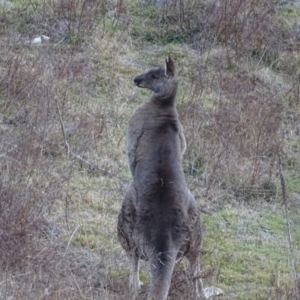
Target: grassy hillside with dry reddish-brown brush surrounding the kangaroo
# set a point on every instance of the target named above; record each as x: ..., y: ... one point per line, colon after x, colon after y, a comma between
x: 64, y: 106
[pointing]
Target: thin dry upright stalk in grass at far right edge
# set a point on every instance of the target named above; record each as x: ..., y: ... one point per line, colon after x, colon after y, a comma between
x: 283, y: 188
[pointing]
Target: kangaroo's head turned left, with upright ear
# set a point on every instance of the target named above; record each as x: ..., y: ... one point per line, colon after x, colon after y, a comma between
x: 162, y: 80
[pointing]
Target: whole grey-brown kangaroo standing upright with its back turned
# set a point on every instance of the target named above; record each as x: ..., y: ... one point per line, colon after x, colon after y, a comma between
x: 159, y: 220
